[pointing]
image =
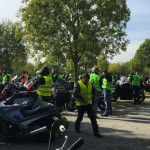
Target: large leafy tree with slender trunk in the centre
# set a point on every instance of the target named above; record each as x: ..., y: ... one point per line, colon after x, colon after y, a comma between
x: 76, y: 28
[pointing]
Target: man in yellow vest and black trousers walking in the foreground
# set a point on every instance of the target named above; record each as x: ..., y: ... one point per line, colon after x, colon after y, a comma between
x: 83, y: 95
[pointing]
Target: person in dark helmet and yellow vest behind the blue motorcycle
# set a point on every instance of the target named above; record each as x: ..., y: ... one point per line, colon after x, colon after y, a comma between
x: 43, y: 84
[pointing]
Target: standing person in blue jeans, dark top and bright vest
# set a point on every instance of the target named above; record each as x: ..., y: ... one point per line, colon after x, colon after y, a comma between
x: 107, y: 85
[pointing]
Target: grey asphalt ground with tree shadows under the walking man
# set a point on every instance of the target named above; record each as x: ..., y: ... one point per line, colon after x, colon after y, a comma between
x: 127, y: 129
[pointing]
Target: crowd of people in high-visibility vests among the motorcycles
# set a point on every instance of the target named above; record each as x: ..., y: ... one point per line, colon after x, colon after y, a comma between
x: 86, y: 91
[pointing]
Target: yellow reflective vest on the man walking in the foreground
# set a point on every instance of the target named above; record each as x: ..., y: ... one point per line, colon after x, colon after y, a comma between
x: 85, y: 92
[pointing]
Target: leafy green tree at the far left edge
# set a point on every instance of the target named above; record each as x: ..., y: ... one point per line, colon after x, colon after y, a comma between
x: 12, y: 50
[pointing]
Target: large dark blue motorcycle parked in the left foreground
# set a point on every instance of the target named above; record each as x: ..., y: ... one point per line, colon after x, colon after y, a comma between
x: 24, y: 115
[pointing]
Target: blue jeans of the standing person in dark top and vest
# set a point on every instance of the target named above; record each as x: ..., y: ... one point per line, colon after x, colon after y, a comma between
x: 107, y: 100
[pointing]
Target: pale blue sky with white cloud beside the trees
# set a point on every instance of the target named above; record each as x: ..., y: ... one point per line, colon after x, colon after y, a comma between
x: 138, y: 28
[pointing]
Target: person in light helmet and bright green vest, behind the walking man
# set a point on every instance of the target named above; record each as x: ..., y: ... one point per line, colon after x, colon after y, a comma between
x: 95, y: 80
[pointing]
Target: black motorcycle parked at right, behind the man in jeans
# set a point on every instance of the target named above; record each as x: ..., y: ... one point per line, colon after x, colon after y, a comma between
x: 126, y: 92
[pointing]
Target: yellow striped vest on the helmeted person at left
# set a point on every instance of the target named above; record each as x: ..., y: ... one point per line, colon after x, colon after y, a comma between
x: 45, y: 90
